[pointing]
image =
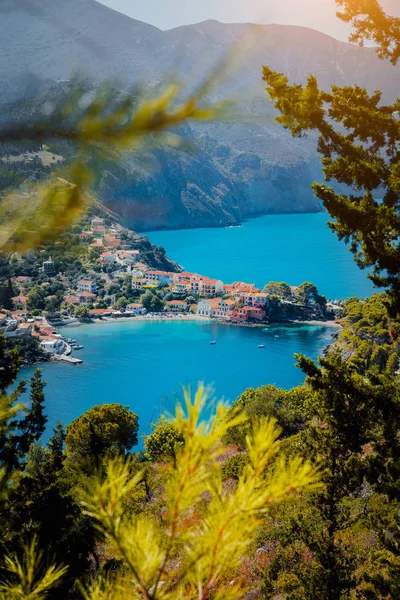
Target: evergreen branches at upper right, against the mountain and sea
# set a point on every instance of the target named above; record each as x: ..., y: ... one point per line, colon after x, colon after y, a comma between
x: 358, y: 141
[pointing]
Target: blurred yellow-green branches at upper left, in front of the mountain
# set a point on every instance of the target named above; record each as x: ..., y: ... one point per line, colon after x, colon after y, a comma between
x: 101, y: 129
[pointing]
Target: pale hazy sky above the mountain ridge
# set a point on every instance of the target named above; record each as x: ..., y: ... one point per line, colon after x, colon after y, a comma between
x: 318, y: 14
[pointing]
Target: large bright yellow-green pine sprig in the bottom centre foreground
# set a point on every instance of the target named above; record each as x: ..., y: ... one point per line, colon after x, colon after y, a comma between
x: 192, y: 553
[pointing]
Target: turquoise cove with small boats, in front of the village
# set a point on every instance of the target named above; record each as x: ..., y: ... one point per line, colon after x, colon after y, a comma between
x: 144, y: 364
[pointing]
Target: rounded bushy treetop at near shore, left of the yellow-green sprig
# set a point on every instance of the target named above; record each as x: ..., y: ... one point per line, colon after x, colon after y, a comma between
x: 109, y: 429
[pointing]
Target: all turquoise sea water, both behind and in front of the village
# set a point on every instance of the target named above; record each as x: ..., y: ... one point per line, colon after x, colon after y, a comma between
x: 143, y: 365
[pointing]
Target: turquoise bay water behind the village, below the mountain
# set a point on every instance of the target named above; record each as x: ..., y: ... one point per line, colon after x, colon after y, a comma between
x: 291, y: 248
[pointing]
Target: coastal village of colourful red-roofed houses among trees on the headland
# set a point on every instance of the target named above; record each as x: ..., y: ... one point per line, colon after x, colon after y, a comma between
x: 120, y: 283
